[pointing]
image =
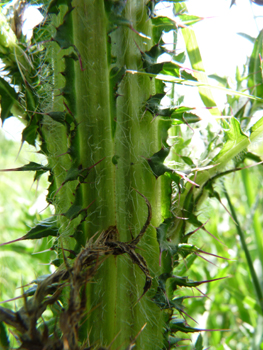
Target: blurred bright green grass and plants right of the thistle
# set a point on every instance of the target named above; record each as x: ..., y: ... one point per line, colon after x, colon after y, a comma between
x: 234, y: 303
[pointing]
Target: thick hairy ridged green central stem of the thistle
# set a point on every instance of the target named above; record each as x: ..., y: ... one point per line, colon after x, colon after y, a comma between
x: 119, y: 282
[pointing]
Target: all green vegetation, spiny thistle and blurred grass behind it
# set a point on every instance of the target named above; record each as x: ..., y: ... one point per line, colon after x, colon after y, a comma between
x: 129, y: 189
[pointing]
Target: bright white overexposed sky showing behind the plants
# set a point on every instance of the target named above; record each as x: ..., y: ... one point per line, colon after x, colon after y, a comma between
x: 222, y: 49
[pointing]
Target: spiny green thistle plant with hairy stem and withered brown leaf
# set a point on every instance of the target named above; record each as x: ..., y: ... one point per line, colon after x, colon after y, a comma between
x: 89, y: 88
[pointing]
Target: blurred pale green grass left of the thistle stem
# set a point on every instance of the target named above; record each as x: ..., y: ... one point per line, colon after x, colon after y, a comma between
x: 22, y: 205
